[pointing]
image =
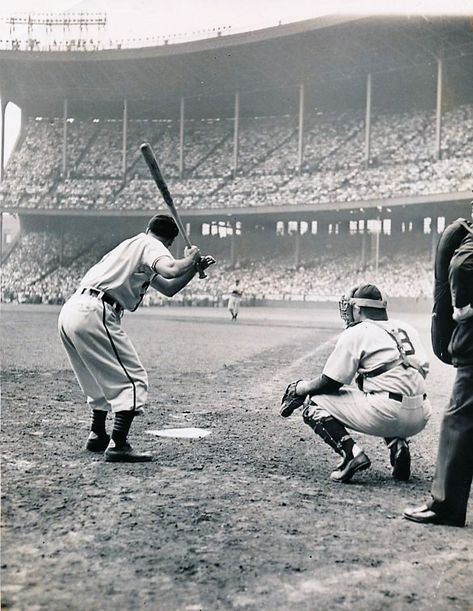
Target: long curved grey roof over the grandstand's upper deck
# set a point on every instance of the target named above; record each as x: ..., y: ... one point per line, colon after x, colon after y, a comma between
x: 322, y: 53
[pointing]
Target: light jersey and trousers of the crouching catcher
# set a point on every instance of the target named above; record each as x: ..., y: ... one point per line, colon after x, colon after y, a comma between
x: 391, y: 397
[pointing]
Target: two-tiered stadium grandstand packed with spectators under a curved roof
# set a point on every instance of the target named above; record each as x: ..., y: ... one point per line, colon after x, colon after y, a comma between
x: 303, y: 156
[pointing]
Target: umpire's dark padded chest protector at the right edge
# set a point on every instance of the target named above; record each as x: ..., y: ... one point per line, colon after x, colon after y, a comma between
x: 442, y: 322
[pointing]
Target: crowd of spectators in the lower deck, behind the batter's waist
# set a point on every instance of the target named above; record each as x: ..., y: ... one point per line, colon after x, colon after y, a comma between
x: 43, y: 268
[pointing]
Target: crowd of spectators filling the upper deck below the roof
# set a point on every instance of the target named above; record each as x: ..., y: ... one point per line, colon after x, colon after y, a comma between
x: 402, y: 161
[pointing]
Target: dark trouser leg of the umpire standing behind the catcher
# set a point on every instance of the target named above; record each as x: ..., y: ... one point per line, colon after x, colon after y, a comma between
x: 454, y: 470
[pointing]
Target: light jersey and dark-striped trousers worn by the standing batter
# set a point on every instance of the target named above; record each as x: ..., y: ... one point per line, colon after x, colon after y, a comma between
x: 102, y: 356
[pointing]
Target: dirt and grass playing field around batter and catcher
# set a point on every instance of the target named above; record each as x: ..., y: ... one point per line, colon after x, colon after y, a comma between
x: 242, y: 519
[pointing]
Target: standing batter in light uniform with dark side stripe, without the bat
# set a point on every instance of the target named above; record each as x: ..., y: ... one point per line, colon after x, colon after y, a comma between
x: 102, y: 356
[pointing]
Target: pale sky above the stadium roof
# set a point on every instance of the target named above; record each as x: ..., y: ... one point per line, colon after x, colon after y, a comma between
x: 144, y: 18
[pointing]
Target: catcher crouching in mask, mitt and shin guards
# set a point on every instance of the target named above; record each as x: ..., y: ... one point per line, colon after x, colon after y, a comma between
x: 390, y: 365
